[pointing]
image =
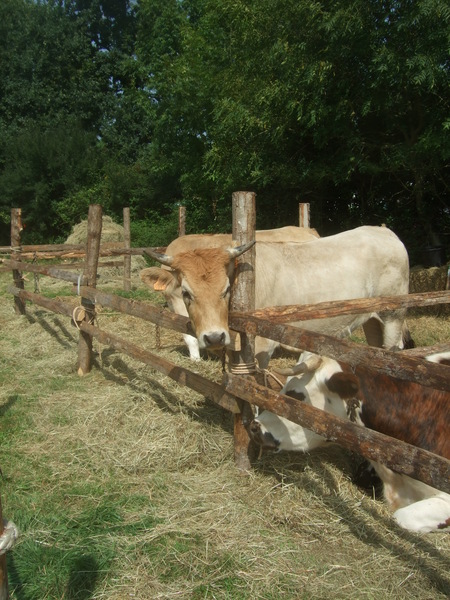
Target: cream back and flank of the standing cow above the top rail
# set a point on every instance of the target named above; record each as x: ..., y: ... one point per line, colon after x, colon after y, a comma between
x: 361, y: 263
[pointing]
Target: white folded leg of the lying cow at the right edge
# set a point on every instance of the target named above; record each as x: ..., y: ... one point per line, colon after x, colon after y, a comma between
x: 431, y: 514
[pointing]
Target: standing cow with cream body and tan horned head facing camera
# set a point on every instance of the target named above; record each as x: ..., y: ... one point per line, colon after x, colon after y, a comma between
x: 364, y: 262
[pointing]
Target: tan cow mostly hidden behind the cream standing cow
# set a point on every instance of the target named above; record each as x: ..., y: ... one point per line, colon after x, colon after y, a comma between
x: 162, y: 282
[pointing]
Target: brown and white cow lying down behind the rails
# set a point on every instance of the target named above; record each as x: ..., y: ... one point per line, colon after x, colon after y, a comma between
x: 405, y: 411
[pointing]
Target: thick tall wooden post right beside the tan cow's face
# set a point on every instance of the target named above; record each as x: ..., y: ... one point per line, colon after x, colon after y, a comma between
x: 243, y: 299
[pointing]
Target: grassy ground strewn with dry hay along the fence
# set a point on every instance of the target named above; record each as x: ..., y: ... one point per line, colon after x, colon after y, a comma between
x: 123, y: 486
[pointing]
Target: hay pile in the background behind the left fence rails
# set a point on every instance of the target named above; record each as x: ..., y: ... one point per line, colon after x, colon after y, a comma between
x: 111, y: 232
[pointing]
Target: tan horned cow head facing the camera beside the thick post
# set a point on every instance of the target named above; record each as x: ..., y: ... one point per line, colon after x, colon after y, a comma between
x: 200, y: 280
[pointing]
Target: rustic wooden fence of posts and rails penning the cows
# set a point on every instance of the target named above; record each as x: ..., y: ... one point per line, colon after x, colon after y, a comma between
x: 237, y: 390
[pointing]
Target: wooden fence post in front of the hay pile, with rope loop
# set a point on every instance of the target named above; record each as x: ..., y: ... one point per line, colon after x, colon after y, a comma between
x: 89, y: 279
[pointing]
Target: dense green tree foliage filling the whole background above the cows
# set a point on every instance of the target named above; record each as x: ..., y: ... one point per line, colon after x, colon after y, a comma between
x: 340, y: 104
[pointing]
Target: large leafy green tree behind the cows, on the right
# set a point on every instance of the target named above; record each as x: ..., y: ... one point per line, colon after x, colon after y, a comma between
x: 342, y: 104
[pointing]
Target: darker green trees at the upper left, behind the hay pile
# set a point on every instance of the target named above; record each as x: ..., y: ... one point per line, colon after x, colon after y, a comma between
x: 63, y: 66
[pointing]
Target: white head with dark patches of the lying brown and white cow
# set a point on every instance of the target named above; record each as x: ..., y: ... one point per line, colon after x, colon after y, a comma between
x: 318, y: 381
